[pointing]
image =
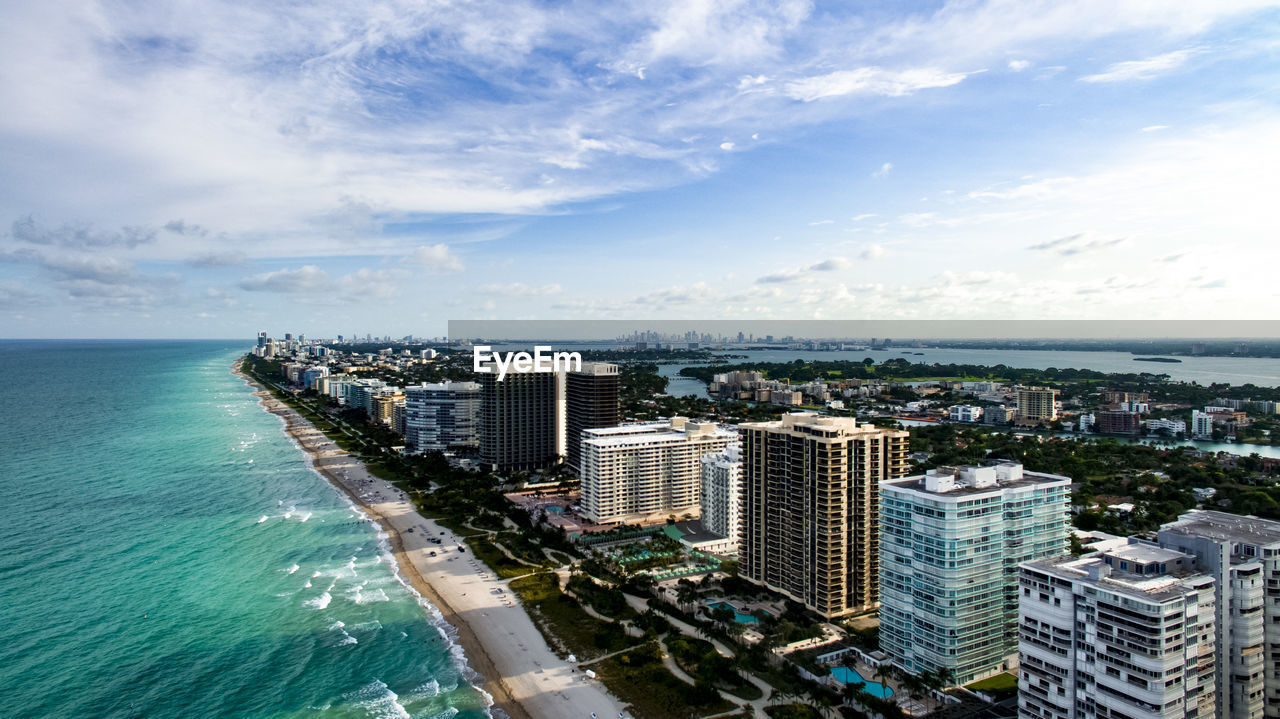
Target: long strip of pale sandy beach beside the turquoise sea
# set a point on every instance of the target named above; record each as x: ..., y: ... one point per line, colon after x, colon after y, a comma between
x: 499, y: 639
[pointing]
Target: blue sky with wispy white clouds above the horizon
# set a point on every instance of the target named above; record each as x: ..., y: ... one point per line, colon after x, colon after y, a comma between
x: 211, y: 170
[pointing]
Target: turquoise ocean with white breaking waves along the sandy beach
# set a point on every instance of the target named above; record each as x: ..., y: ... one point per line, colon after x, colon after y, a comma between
x: 167, y: 552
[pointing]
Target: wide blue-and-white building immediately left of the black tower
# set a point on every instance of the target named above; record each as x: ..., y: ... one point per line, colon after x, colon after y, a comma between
x: 442, y: 416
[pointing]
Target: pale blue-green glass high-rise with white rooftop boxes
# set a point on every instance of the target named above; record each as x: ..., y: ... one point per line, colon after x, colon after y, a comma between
x: 952, y: 542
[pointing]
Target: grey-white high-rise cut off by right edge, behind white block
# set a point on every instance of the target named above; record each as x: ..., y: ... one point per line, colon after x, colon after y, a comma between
x: 1244, y: 557
